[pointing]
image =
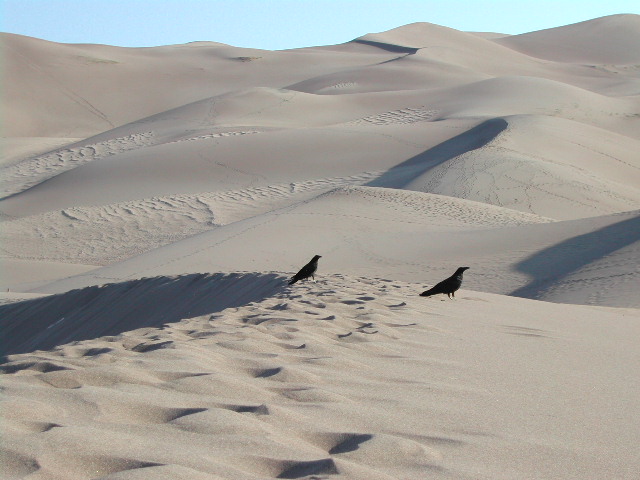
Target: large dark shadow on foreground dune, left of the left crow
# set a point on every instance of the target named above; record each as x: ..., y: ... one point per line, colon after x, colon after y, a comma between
x: 92, y: 312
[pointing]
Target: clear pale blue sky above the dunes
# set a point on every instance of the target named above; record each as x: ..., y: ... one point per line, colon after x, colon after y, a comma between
x: 281, y: 24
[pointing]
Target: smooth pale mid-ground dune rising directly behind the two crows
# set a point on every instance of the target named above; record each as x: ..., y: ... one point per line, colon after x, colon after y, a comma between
x: 409, y: 236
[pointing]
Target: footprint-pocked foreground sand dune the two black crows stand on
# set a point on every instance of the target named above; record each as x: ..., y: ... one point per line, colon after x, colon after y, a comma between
x: 347, y: 378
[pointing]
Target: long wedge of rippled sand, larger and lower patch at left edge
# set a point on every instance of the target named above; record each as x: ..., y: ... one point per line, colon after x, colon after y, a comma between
x: 110, y: 233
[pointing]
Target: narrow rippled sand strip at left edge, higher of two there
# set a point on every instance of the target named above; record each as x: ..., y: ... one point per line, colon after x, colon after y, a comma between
x: 28, y: 173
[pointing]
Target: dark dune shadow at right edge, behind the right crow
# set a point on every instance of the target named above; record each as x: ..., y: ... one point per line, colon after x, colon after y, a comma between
x: 550, y: 265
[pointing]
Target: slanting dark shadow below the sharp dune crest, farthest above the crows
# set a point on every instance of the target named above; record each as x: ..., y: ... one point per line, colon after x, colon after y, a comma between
x: 404, y: 173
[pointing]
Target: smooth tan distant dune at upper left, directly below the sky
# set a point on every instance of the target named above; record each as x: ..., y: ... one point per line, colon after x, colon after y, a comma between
x: 92, y: 88
